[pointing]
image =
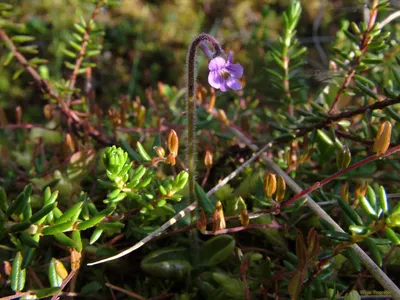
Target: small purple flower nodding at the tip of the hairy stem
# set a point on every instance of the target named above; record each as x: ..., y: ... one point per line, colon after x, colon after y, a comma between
x: 224, y: 74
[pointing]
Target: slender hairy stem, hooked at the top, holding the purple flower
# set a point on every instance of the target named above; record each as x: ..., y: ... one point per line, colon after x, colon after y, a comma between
x: 191, y: 104
